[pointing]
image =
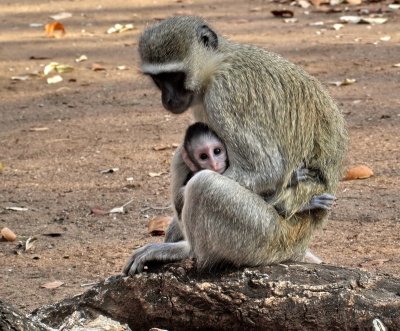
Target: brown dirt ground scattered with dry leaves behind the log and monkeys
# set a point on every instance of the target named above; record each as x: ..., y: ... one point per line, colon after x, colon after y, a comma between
x: 56, y: 138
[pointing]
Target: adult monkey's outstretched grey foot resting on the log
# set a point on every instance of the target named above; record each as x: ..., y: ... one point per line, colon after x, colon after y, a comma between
x: 156, y: 252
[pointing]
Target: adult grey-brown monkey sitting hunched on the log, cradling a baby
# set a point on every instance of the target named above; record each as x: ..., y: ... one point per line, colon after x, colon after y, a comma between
x: 272, y: 117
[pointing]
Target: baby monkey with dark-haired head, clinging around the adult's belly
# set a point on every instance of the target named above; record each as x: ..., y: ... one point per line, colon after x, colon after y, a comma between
x: 203, y: 149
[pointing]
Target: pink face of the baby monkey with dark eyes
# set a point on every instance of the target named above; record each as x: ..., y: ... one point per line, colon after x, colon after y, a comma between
x: 210, y: 154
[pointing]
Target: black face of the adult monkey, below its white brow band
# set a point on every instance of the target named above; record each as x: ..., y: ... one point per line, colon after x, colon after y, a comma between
x: 174, y: 96
